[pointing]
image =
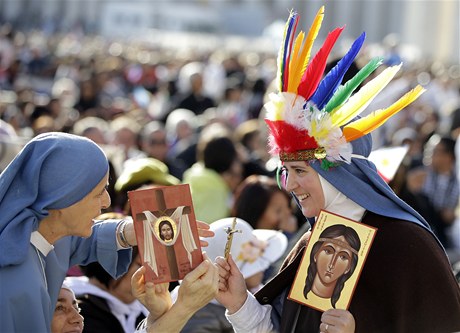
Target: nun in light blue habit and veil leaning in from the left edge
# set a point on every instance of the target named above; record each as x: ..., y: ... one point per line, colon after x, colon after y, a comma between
x: 49, y: 195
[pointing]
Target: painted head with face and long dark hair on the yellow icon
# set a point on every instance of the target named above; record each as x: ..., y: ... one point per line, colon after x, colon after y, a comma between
x: 333, y: 260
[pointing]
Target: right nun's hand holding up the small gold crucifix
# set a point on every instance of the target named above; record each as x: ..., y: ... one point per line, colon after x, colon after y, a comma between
x: 232, y: 287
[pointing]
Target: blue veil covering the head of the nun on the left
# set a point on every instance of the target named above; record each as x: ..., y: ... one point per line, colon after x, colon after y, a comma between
x: 53, y: 171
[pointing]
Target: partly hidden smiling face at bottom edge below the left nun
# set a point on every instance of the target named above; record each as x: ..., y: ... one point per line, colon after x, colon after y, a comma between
x: 66, y: 318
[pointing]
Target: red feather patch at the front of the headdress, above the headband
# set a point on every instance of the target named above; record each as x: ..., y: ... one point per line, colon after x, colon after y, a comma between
x: 287, y: 138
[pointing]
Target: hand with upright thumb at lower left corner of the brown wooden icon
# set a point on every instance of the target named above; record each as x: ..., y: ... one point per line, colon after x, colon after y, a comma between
x: 156, y: 298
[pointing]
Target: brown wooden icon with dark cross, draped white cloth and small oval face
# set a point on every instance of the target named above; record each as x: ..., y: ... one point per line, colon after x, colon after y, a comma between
x: 166, y: 231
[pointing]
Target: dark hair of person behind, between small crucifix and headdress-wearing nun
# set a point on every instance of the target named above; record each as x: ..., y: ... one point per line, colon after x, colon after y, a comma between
x: 253, y: 196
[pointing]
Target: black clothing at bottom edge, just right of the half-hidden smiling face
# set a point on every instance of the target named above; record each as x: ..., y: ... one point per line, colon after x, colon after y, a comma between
x: 98, y: 317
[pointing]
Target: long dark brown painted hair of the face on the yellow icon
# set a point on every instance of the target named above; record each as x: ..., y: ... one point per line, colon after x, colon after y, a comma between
x: 352, y: 239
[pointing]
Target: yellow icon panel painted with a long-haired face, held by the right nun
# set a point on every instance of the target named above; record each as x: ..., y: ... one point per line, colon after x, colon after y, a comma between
x: 332, y: 262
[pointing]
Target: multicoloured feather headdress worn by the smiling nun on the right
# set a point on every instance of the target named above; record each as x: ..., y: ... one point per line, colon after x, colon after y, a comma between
x: 312, y: 117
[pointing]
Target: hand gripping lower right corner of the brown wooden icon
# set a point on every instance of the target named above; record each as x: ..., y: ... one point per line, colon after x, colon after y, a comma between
x: 199, y: 286
